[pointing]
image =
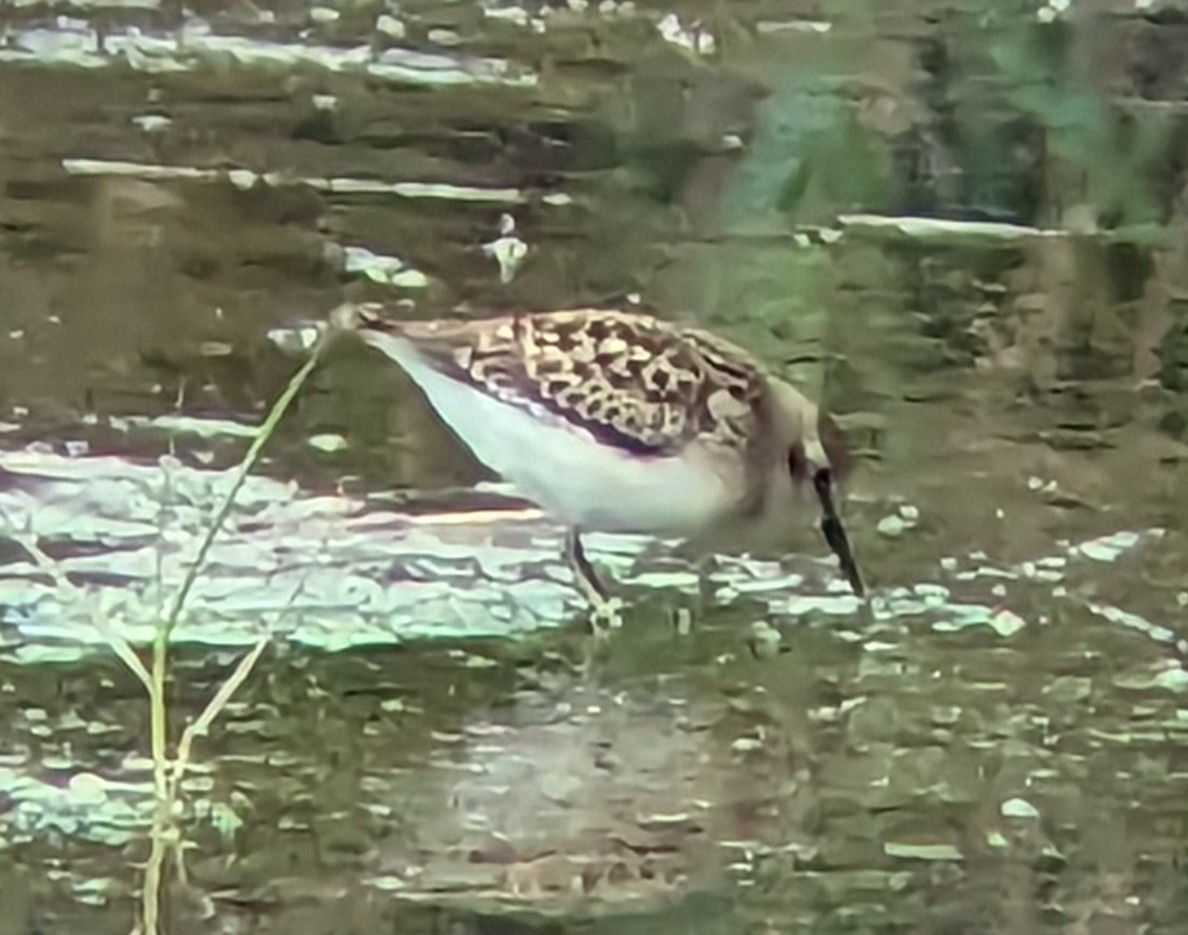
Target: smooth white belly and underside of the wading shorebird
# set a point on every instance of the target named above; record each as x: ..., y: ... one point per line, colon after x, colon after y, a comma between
x: 563, y: 469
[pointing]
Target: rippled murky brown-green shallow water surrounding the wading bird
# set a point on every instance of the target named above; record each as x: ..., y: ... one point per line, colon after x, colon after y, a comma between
x: 960, y: 225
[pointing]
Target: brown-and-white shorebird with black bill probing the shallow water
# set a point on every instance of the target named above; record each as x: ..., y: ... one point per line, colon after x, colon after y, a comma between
x: 620, y: 422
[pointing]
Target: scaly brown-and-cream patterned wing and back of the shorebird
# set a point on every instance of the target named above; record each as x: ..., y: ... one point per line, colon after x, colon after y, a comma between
x: 630, y: 381
